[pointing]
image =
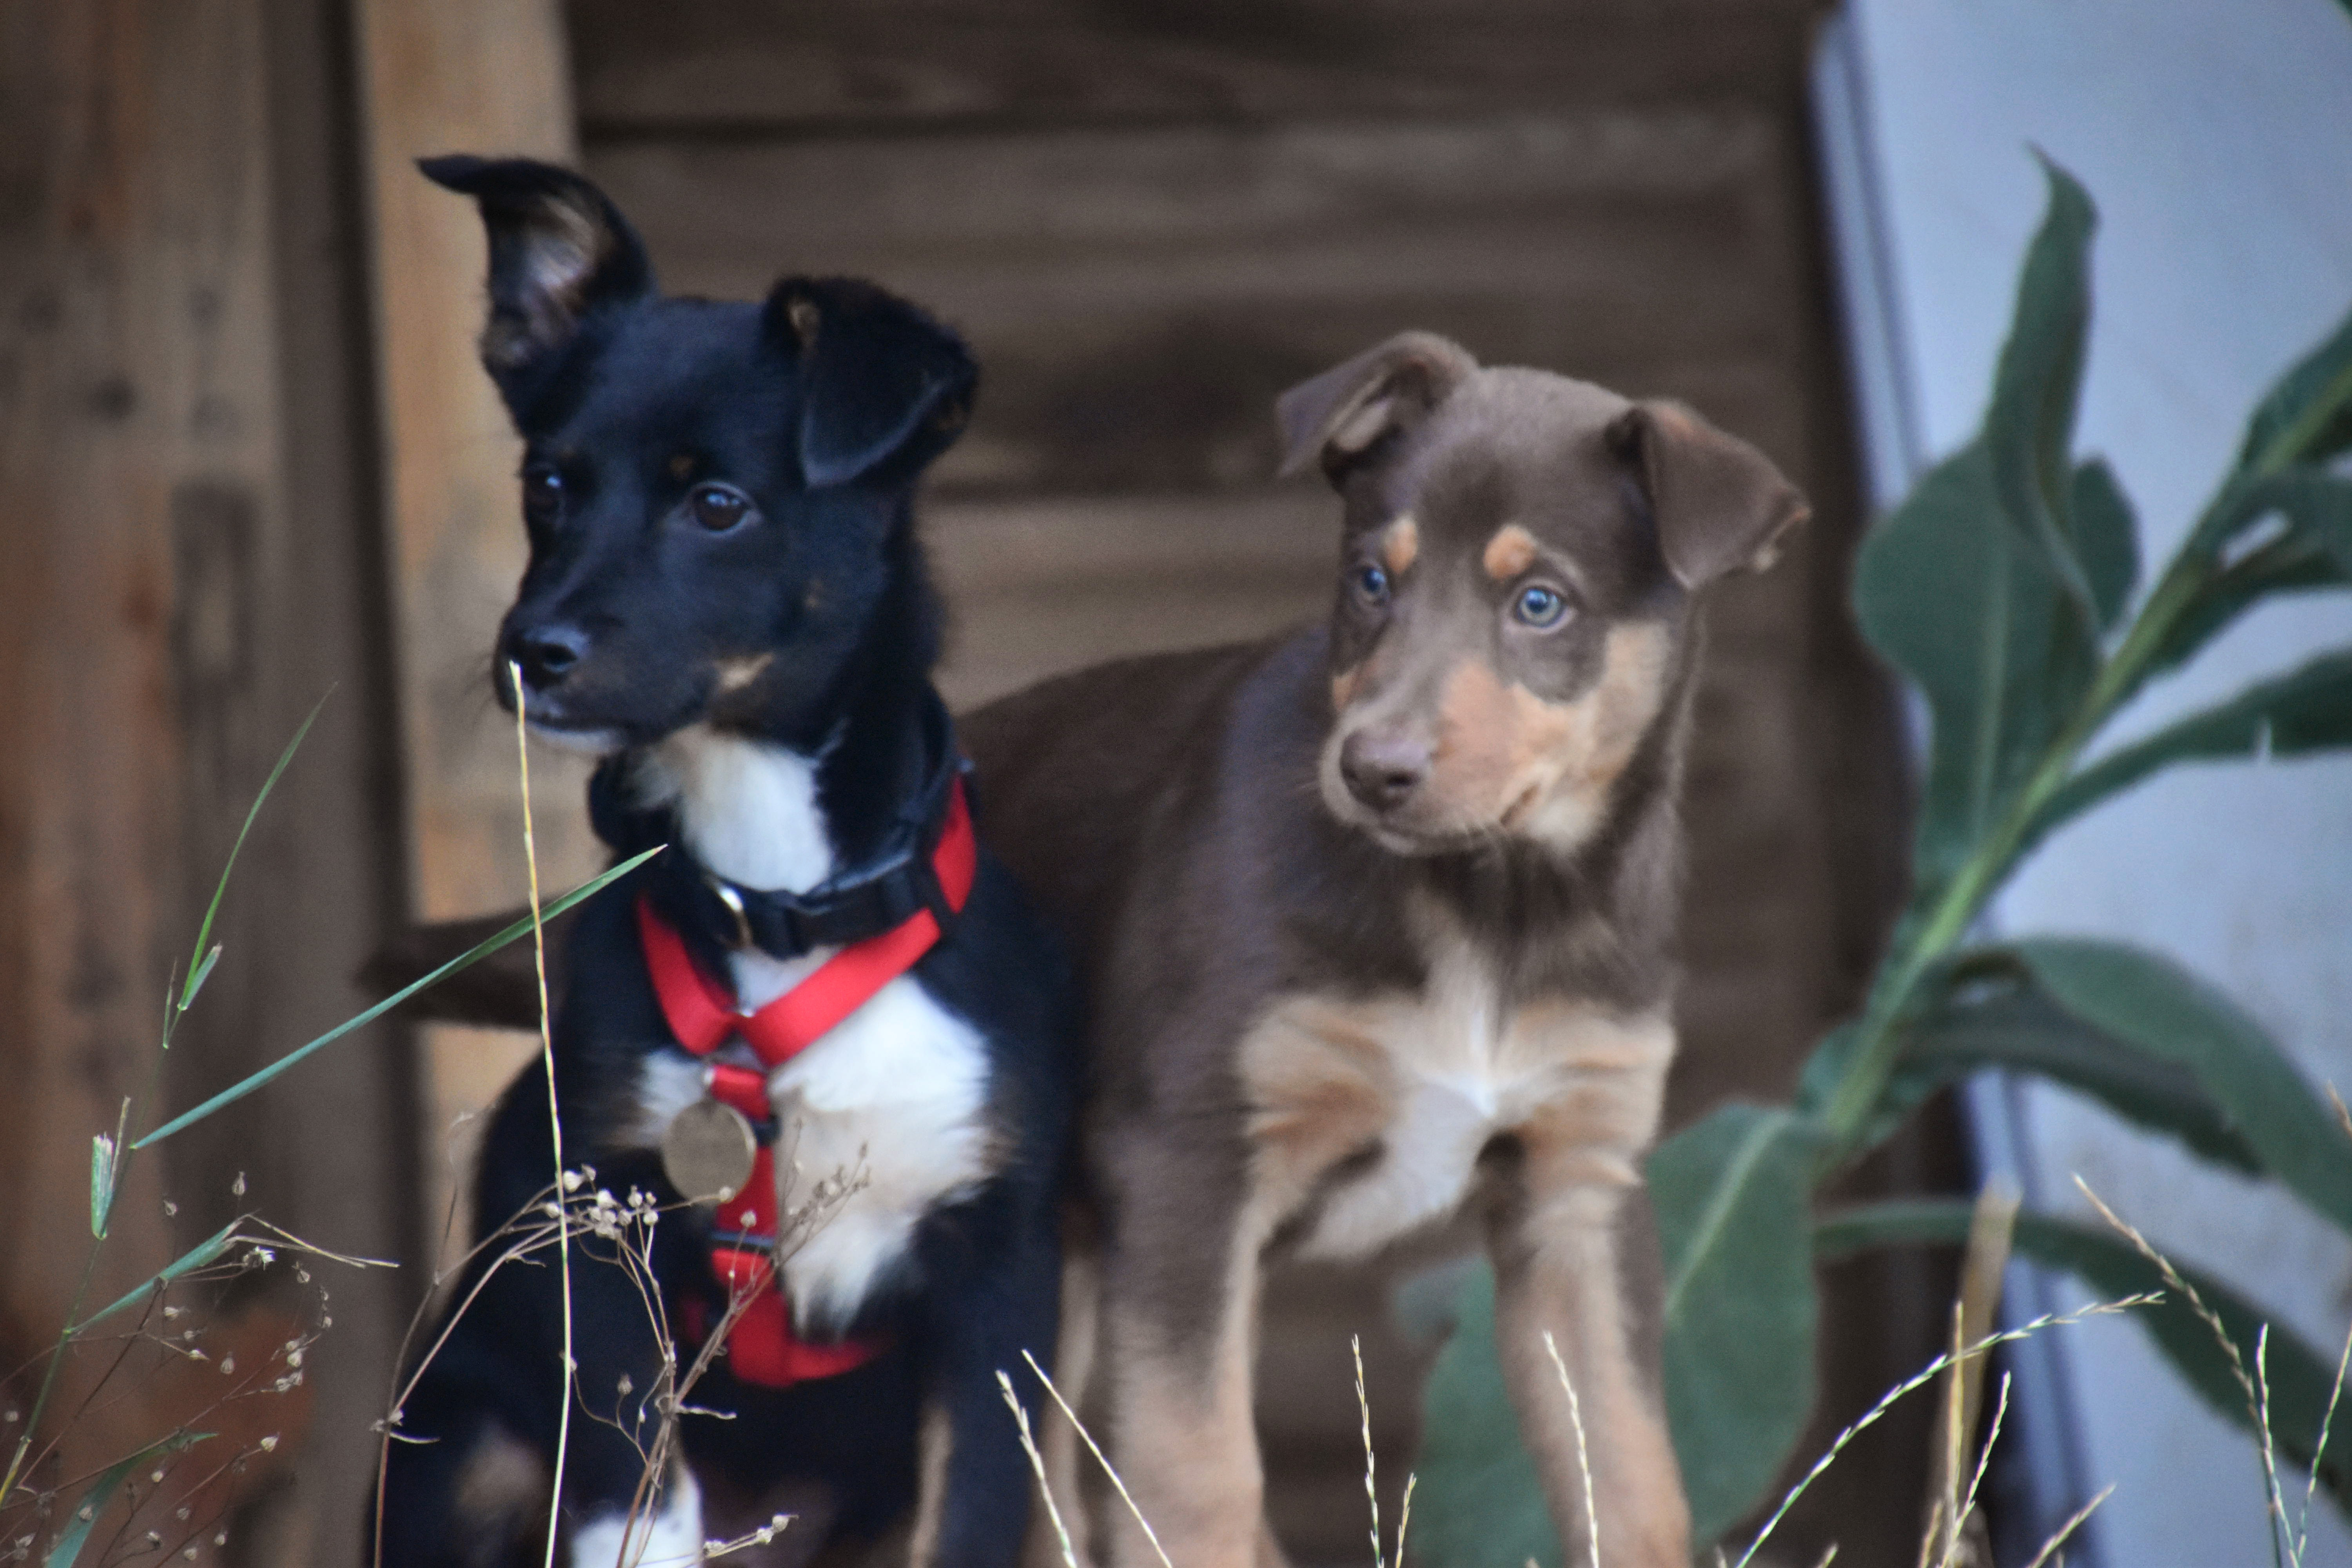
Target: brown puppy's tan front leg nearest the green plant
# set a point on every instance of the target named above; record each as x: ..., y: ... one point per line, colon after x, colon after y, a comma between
x: 1563, y: 1266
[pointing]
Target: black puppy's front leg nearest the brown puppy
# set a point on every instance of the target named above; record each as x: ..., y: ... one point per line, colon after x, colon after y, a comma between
x: 975, y: 1501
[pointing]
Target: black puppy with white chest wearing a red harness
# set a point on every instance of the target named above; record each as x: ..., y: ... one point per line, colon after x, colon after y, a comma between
x: 726, y: 598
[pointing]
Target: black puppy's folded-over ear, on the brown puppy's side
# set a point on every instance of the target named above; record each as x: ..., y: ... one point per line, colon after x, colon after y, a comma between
x: 881, y: 382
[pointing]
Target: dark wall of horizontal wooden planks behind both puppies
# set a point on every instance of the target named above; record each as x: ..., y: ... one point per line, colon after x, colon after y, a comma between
x: 1151, y: 217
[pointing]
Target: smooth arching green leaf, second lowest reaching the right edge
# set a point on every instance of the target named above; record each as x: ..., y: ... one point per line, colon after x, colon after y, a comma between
x: 2158, y: 1007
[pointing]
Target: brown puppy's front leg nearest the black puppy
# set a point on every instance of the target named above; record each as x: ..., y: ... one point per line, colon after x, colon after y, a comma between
x: 1180, y: 1311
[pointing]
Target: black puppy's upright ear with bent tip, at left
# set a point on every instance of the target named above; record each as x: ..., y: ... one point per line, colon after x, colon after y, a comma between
x: 559, y: 250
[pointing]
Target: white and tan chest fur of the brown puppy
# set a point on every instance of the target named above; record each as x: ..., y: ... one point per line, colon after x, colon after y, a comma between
x: 1417, y: 1085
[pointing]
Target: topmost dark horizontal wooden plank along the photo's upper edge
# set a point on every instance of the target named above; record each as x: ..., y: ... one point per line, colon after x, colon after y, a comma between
x: 737, y: 67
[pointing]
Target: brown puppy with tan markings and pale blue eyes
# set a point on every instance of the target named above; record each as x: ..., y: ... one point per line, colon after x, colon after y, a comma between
x: 1379, y: 918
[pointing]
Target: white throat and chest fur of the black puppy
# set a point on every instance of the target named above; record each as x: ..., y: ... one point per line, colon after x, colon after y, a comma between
x: 893, y: 1101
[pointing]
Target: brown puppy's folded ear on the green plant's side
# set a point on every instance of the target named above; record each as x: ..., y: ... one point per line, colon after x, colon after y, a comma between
x: 1720, y: 504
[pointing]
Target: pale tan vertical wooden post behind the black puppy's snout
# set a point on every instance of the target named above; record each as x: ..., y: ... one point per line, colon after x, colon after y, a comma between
x: 457, y: 76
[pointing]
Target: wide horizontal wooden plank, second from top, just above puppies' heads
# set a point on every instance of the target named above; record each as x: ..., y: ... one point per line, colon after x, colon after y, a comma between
x: 1140, y: 297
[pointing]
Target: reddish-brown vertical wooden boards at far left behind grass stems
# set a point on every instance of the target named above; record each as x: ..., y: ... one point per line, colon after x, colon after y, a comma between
x: 192, y: 565
